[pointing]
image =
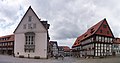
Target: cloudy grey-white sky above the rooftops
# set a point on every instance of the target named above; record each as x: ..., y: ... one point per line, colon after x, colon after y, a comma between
x: 68, y: 18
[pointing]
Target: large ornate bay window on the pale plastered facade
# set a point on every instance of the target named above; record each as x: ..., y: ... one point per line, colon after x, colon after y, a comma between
x: 29, y: 41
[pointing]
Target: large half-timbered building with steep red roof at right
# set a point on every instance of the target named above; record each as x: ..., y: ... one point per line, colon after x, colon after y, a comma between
x: 96, y: 42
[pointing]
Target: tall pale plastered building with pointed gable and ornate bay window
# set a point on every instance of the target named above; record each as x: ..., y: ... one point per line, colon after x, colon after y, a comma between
x: 31, y: 36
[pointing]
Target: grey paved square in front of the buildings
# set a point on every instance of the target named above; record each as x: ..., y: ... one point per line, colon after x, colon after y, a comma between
x: 10, y: 59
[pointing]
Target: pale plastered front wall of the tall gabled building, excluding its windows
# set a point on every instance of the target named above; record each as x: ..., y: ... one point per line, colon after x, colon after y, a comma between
x: 40, y: 36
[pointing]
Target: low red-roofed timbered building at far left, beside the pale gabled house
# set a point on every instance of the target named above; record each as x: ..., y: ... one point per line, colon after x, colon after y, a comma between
x: 7, y: 44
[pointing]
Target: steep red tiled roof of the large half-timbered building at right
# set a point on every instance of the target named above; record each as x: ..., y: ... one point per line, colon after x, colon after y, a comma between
x: 93, y: 30
